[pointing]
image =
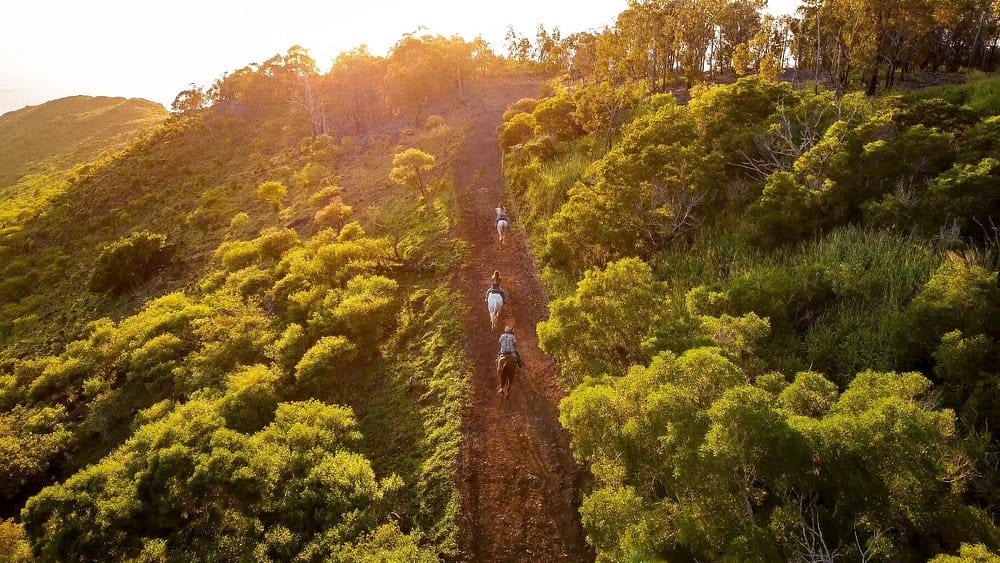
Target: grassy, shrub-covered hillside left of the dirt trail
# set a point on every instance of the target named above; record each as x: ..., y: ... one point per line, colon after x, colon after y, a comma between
x: 229, y: 278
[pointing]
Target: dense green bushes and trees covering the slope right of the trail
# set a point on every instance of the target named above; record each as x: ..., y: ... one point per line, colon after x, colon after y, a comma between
x: 773, y: 307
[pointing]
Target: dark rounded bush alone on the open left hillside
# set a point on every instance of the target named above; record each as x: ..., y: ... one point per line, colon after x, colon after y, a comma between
x: 130, y: 261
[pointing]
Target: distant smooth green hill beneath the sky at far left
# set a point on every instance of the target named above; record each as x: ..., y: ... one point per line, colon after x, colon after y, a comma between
x: 68, y: 131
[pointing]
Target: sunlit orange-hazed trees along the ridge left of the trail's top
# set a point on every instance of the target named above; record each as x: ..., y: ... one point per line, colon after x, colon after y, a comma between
x: 360, y: 91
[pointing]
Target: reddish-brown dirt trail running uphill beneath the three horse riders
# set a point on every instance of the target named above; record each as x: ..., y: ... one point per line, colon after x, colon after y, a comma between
x: 518, y: 479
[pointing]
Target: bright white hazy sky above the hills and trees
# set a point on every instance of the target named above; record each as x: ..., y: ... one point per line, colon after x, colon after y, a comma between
x: 154, y: 49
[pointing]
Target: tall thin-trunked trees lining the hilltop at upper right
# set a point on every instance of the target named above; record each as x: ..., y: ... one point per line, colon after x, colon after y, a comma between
x: 846, y: 44
